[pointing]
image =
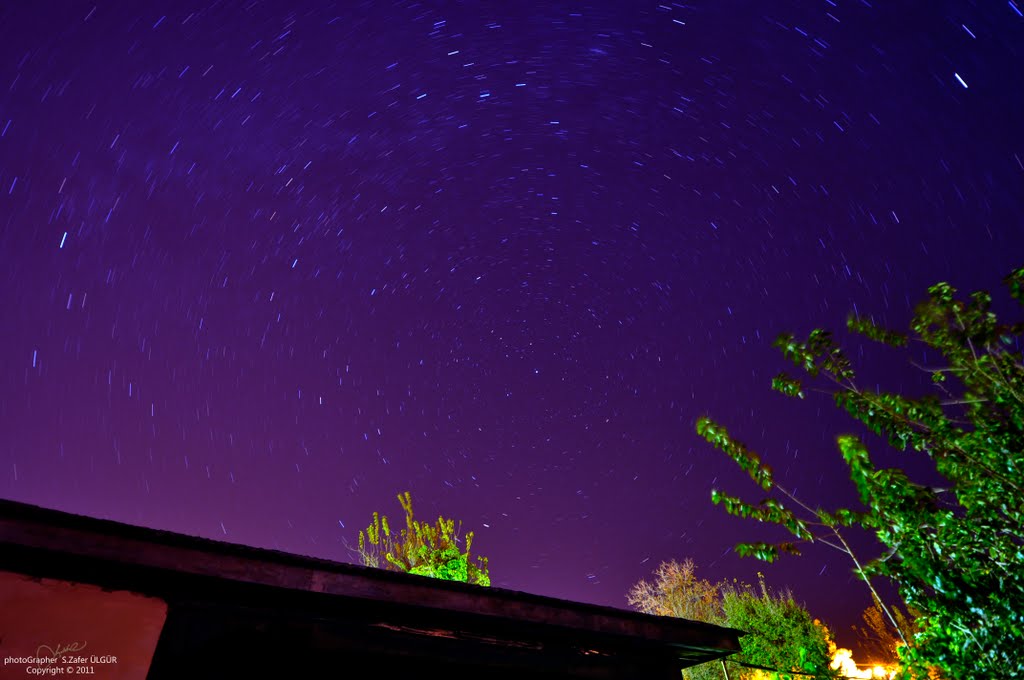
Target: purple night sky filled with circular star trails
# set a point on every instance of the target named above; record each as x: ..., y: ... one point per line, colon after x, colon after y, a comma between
x: 268, y: 265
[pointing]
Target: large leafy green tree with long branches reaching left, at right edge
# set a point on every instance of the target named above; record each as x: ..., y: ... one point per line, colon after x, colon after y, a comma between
x: 956, y: 554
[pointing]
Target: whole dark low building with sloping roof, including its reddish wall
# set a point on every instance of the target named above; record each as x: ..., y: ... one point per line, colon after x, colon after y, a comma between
x: 133, y: 603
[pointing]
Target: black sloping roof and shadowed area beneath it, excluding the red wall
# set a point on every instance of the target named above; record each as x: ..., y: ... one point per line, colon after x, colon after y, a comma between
x: 234, y: 611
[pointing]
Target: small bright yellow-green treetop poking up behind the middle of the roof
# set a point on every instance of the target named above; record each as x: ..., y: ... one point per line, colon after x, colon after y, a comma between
x: 421, y: 548
